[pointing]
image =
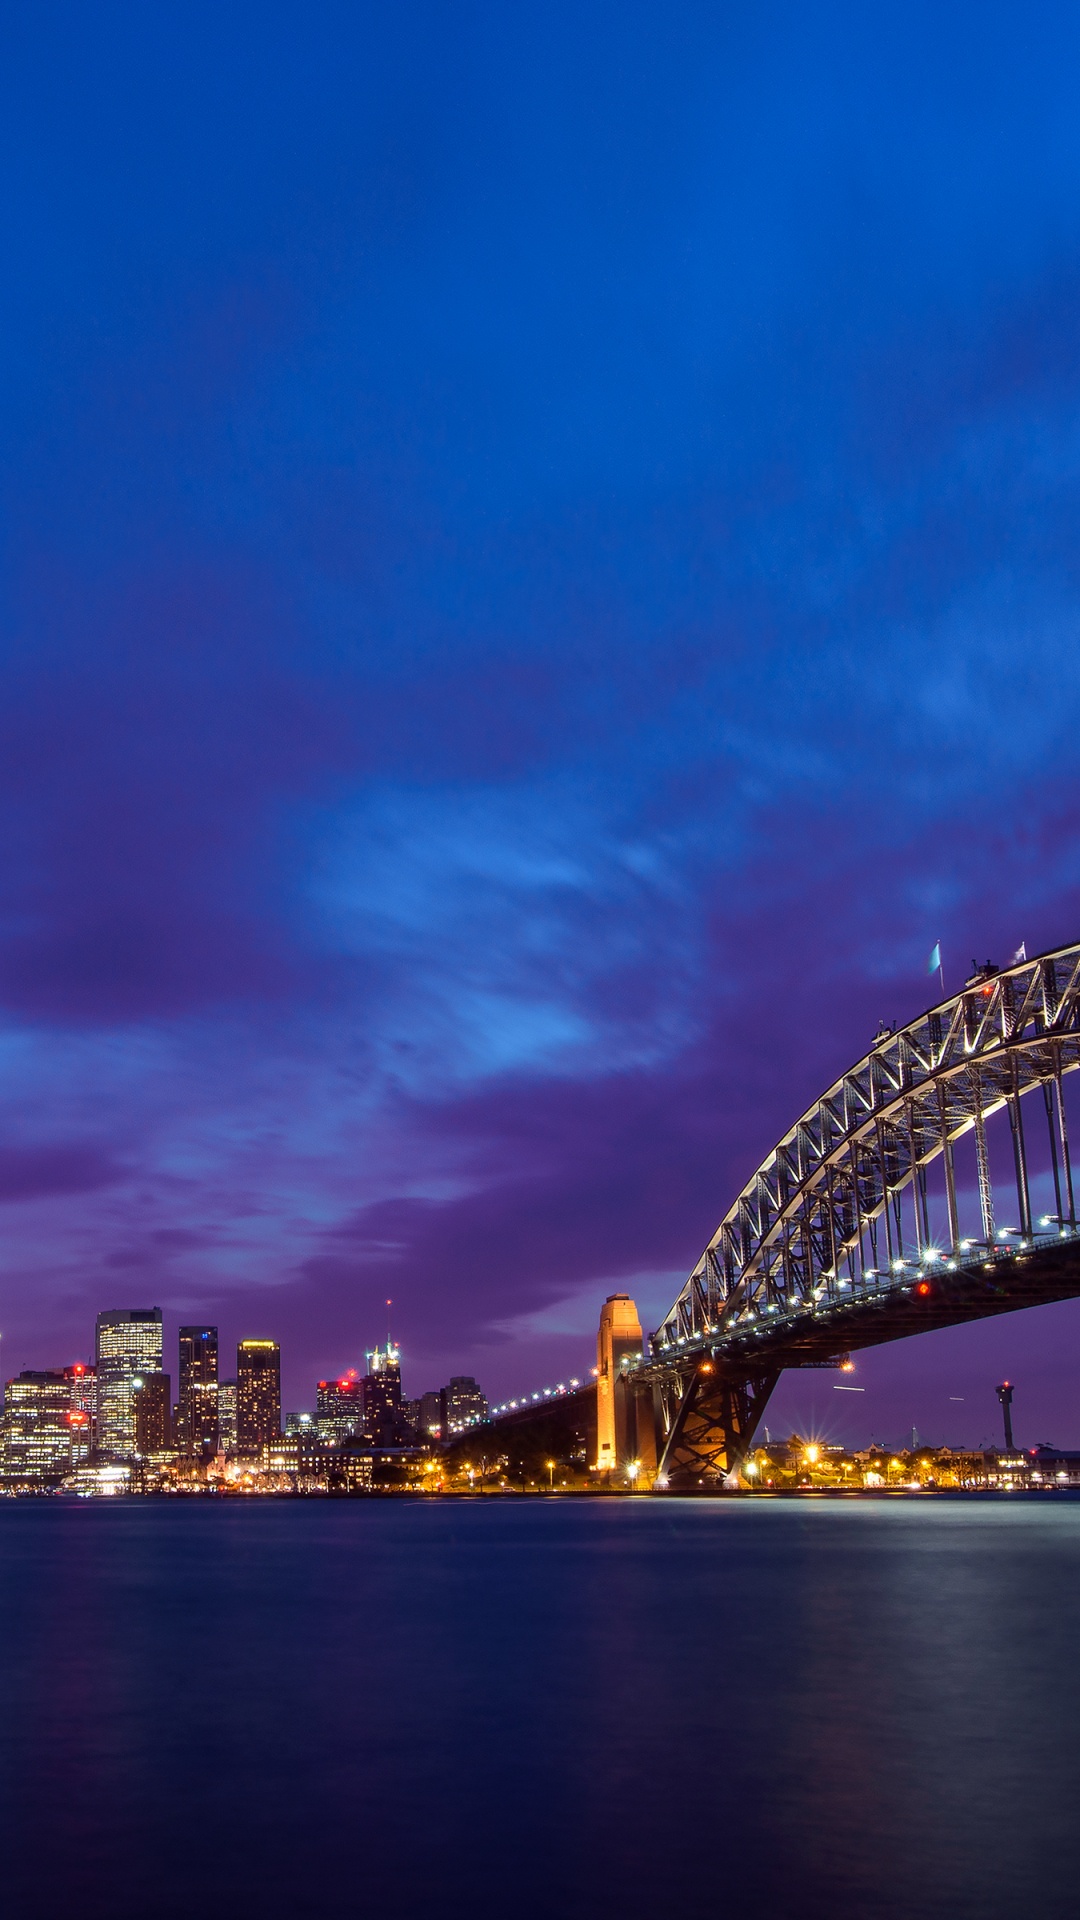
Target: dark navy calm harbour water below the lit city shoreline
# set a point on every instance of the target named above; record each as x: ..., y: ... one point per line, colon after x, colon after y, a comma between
x: 541, y: 1708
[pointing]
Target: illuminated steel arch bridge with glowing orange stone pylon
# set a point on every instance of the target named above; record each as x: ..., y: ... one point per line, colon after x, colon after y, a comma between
x: 896, y: 1205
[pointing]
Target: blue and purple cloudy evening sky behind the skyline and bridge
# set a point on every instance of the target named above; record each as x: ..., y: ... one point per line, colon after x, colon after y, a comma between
x: 541, y: 577
